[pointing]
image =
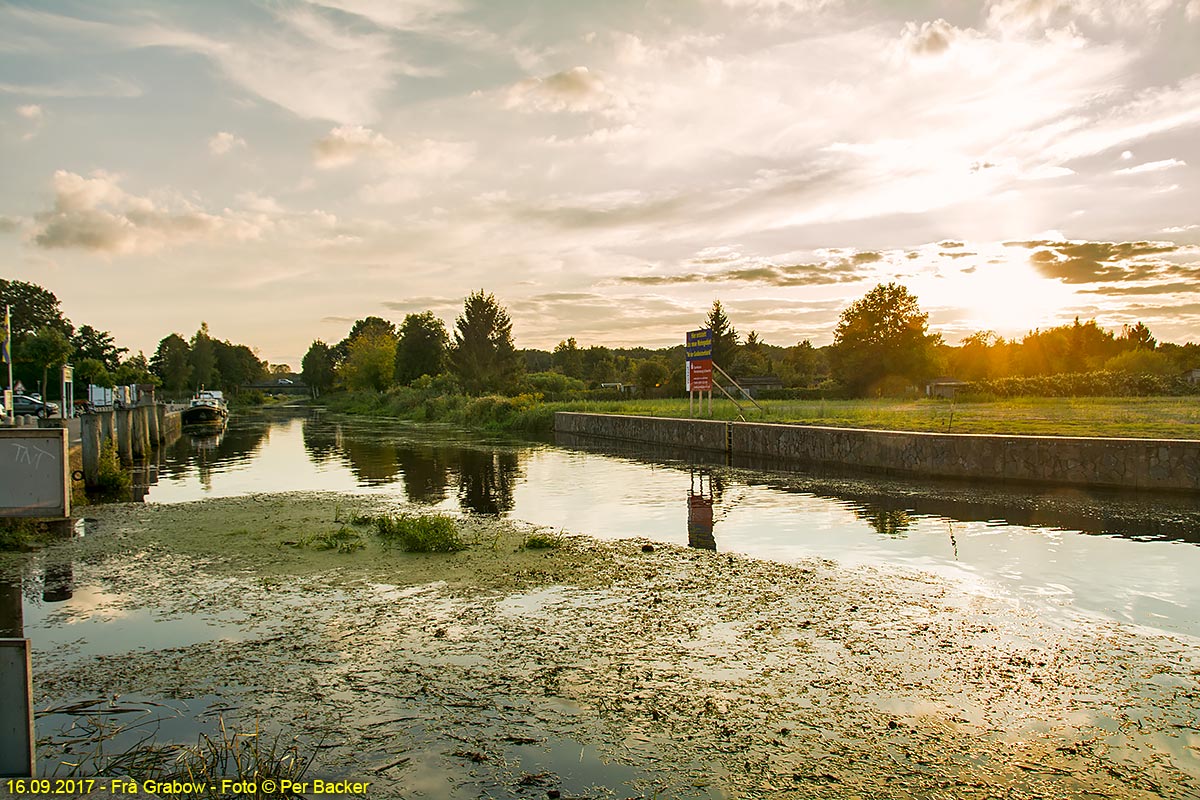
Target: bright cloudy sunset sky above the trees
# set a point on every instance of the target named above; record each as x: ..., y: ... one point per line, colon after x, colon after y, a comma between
x: 607, y: 170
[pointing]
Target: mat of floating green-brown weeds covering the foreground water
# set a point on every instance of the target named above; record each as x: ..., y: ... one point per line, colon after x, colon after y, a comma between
x: 621, y: 670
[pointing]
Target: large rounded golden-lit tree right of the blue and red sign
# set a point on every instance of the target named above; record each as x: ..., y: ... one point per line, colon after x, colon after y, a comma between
x: 881, y: 339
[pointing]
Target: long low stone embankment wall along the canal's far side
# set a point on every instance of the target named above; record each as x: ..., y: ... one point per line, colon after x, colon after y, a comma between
x: 1172, y: 465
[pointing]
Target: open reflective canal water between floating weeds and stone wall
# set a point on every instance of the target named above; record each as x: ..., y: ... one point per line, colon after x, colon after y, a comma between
x: 1124, y: 557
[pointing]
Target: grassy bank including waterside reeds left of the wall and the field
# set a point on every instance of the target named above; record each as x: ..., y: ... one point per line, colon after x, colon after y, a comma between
x: 1156, y: 418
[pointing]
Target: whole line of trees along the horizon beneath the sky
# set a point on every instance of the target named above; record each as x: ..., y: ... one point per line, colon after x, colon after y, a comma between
x: 881, y: 346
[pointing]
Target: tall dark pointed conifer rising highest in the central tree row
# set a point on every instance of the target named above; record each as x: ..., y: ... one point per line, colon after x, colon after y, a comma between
x: 483, y: 356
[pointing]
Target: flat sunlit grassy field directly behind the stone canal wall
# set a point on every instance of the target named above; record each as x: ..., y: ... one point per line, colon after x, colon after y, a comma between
x: 1160, y: 418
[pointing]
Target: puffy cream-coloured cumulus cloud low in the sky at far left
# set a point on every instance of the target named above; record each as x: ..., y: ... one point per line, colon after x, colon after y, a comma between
x: 94, y: 214
